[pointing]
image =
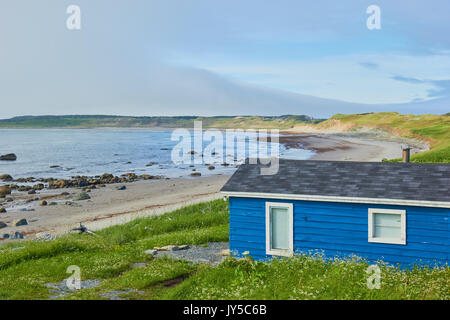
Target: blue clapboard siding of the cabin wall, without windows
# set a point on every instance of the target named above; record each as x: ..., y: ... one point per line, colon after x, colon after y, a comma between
x: 341, y: 229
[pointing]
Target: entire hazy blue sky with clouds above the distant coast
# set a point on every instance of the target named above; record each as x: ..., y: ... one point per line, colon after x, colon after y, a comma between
x: 204, y: 57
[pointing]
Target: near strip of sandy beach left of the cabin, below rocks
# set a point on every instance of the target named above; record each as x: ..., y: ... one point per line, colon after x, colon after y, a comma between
x: 108, y: 206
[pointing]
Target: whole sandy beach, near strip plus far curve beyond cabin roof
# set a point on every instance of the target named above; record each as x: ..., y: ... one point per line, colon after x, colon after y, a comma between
x: 109, y: 206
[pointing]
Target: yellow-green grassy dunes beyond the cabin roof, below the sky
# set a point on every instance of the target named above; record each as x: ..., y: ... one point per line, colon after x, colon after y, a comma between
x: 433, y: 129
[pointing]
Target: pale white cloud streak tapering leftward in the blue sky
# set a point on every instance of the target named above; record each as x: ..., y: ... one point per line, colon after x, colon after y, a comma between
x: 345, y: 78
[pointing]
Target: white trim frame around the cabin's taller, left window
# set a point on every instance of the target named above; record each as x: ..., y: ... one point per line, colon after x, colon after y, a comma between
x: 288, y: 252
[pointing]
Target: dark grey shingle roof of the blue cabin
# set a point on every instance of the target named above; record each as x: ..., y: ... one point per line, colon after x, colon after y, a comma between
x: 381, y: 180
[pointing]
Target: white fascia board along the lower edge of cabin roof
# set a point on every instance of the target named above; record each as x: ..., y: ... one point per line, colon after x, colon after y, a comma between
x: 283, y: 196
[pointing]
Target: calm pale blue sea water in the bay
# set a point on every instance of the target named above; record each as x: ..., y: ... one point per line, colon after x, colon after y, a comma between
x: 94, y: 152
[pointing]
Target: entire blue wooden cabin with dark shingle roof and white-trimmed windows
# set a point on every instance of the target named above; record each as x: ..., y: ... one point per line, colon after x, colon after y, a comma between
x: 395, y: 212
